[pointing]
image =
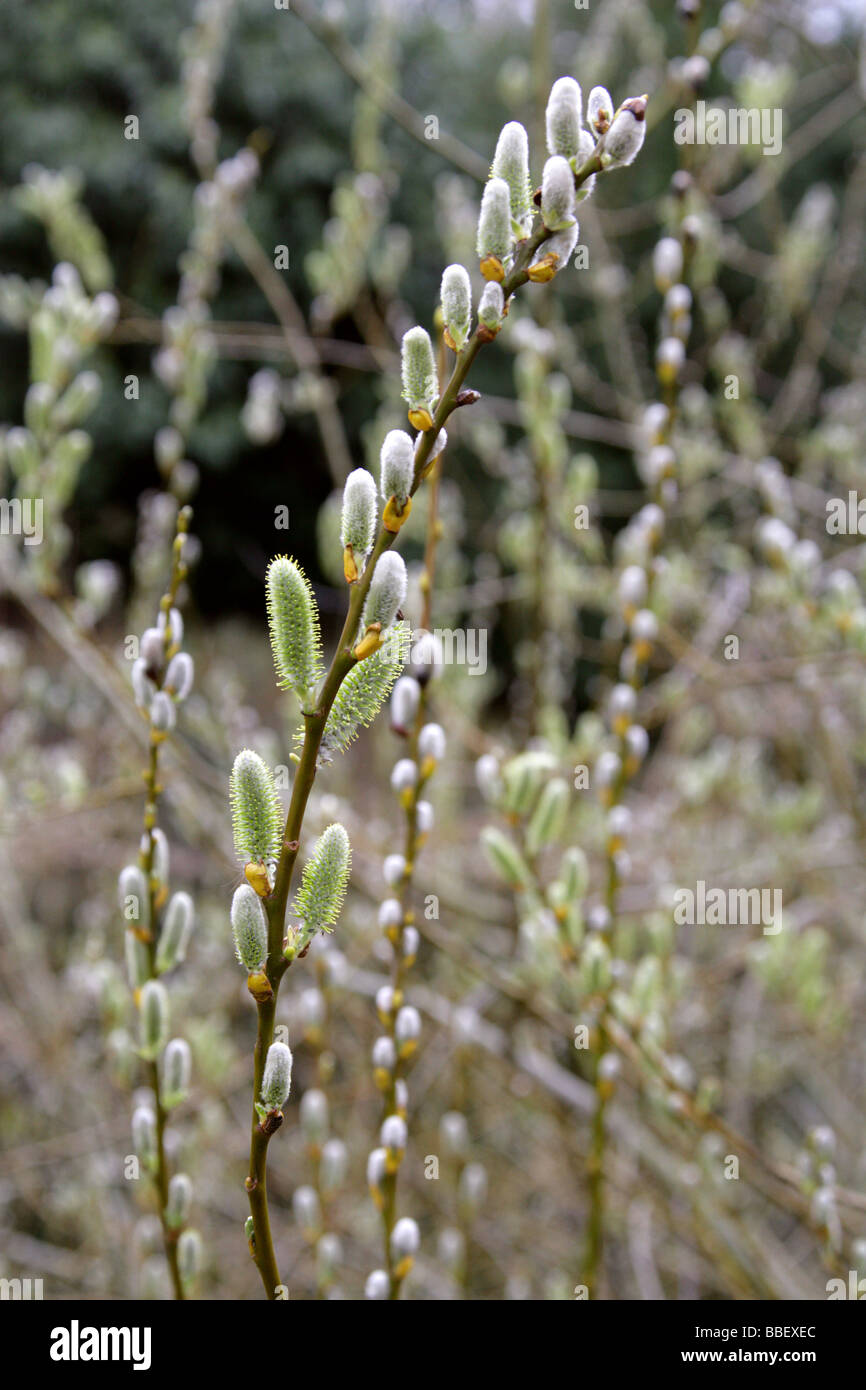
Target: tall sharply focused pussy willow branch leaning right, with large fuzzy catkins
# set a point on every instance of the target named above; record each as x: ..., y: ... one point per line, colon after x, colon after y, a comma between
x: 515, y: 245
